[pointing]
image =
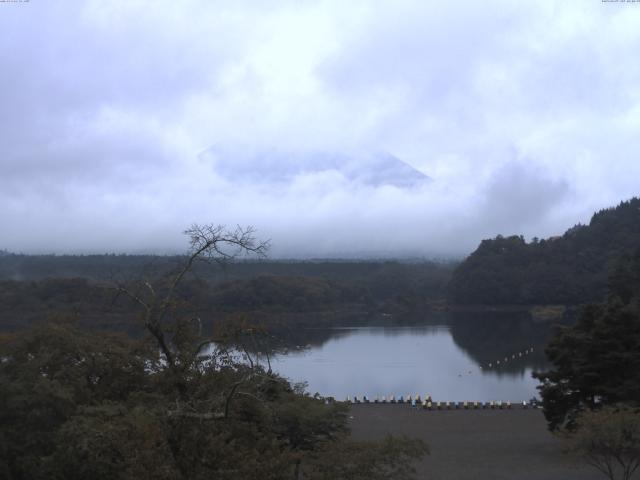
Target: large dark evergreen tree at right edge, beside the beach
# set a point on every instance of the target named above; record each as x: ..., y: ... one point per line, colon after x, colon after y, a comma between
x: 597, y: 361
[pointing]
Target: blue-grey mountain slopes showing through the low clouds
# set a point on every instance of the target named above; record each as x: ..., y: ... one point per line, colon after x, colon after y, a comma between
x: 277, y: 166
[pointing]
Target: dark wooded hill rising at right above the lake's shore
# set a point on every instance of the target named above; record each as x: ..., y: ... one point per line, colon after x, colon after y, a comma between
x: 570, y: 269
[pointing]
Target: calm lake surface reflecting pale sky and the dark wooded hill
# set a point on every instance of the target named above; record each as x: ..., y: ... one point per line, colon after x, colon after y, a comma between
x: 448, y: 360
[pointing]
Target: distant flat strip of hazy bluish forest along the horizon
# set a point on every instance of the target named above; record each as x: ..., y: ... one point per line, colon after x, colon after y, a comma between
x: 384, y: 278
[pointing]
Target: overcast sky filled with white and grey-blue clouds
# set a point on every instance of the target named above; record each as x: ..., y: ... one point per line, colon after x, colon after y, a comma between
x: 525, y: 116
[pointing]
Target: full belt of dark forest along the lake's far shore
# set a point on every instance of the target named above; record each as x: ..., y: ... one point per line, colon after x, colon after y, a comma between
x: 291, y: 294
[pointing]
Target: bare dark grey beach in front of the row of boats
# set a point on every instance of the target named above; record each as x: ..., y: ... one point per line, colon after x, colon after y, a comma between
x: 475, y: 444
